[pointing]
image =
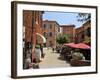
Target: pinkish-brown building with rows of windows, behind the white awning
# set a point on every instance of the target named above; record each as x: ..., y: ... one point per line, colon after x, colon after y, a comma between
x: 50, y: 30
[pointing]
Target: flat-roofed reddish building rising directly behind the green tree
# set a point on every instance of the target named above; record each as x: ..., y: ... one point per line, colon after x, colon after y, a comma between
x: 70, y: 31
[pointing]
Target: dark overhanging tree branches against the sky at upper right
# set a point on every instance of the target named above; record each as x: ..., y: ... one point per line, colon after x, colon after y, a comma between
x: 83, y: 17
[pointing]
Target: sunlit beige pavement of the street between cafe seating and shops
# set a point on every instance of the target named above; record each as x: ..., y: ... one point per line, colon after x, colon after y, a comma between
x: 52, y: 60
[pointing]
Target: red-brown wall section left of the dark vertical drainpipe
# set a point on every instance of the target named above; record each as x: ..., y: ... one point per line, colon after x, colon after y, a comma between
x: 27, y: 22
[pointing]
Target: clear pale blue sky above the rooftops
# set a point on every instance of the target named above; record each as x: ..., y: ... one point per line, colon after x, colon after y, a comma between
x: 62, y: 18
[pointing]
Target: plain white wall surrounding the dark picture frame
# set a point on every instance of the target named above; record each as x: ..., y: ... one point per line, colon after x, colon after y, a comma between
x: 5, y: 40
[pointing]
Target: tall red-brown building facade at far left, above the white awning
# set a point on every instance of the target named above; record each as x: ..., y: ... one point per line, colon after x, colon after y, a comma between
x: 32, y: 23
